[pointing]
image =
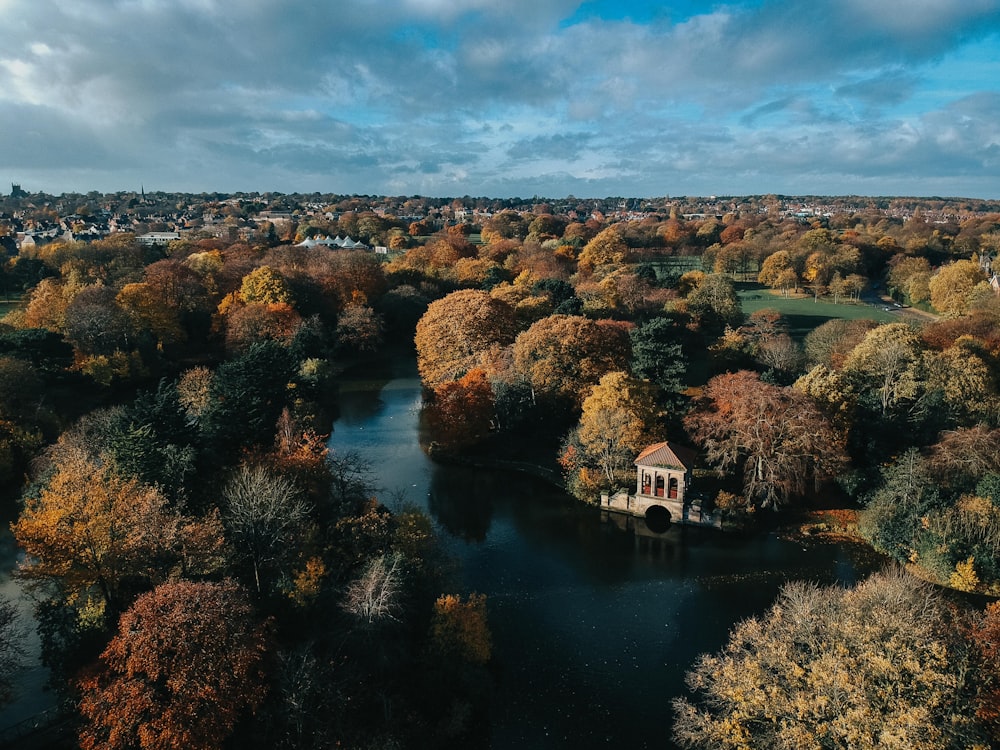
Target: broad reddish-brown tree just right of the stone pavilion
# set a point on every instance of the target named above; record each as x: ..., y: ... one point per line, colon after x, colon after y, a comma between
x: 776, y: 436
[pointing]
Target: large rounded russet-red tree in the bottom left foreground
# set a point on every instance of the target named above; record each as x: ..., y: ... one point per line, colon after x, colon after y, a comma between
x: 186, y: 665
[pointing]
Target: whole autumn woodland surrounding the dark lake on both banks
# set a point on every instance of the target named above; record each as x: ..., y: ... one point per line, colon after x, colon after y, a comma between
x: 207, y: 572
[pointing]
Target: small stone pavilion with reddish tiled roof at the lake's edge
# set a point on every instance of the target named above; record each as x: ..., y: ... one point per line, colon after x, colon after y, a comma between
x: 662, y: 488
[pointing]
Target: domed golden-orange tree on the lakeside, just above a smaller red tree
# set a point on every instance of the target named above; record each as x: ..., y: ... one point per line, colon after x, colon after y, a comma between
x: 456, y: 330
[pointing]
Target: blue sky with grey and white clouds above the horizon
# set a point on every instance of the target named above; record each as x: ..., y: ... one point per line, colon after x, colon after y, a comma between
x: 502, y: 98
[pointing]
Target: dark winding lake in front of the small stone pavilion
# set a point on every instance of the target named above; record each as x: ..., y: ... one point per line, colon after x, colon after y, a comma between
x: 594, y: 626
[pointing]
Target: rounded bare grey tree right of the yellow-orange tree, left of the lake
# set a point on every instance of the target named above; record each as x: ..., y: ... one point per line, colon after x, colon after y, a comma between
x: 264, y: 514
